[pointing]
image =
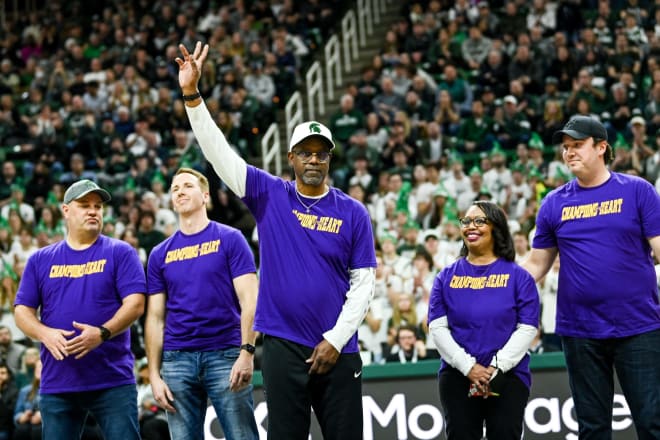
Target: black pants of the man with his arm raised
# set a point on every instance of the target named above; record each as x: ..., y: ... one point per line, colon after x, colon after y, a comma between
x: 290, y: 391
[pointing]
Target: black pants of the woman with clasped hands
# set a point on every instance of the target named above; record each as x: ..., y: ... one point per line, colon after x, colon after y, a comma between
x: 465, y: 416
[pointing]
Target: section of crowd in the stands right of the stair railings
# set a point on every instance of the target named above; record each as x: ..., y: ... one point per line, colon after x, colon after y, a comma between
x: 461, y: 105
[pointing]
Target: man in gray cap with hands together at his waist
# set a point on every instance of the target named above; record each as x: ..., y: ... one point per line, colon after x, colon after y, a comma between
x: 89, y: 289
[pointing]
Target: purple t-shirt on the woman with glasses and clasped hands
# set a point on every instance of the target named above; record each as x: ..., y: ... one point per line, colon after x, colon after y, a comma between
x: 483, y: 305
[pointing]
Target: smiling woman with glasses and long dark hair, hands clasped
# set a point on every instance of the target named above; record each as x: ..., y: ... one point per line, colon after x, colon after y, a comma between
x: 483, y: 315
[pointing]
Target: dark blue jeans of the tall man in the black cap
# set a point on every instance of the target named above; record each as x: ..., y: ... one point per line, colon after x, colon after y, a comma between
x: 591, y: 364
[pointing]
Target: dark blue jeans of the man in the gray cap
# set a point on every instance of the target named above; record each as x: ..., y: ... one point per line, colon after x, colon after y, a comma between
x: 115, y: 410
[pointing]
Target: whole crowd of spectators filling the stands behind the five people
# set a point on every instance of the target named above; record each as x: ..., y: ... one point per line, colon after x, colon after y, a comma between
x: 460, y: 104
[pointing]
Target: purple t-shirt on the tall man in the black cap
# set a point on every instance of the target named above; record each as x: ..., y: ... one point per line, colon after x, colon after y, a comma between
x: 607, y: 284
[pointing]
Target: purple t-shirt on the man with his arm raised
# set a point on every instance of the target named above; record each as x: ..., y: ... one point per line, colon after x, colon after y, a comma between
x: 305, y: 258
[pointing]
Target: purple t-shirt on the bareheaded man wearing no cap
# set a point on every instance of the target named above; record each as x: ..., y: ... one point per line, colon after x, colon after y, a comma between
x: 196, y: 272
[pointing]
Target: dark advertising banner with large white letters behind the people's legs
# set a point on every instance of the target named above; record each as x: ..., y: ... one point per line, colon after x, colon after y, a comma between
x: 400, y: 402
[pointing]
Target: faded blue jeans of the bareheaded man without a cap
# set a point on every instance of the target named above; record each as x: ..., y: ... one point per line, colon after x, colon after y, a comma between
x: 193, y: 377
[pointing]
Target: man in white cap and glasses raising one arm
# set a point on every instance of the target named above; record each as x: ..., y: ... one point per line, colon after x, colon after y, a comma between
x: 316, y: 276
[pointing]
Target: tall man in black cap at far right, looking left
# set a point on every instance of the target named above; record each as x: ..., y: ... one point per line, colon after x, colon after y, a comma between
x: 604, y: 225
